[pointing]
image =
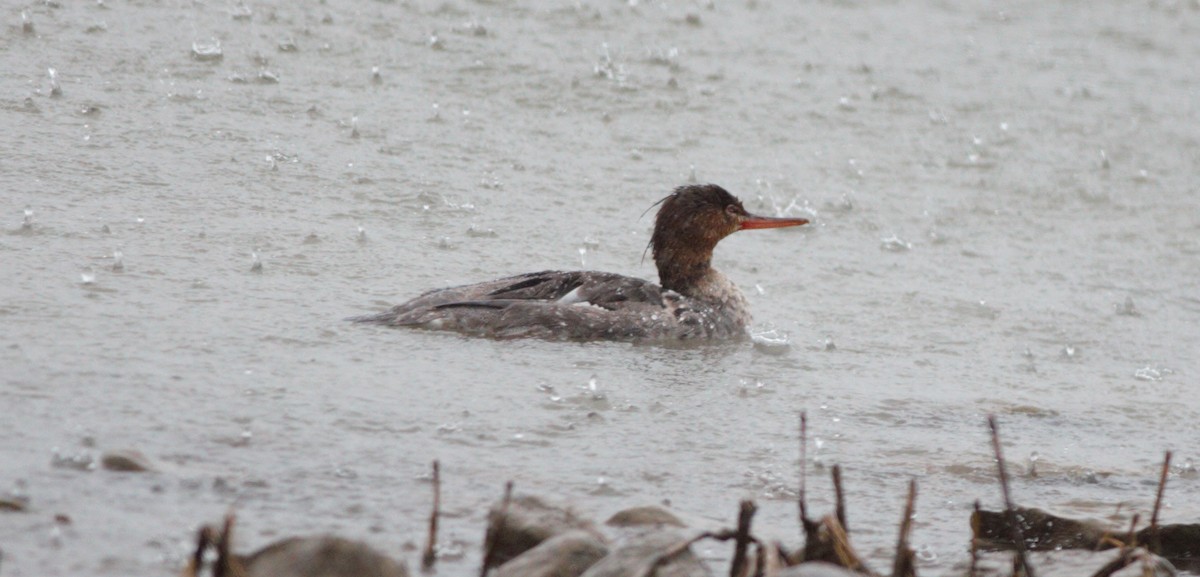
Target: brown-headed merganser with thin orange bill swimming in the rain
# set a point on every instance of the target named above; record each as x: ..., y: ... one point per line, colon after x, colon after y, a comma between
x: 692, y: 302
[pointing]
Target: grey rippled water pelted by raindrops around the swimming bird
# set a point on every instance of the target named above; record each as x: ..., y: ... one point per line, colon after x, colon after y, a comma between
x: 1006, y: 223
